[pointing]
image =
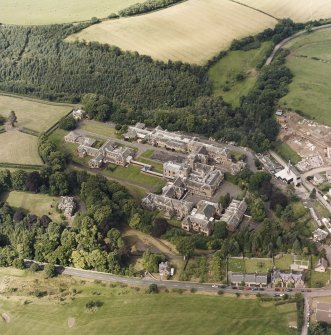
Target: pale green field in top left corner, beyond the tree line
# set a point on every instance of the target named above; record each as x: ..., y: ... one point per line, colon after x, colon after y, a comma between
x: 60, y: 11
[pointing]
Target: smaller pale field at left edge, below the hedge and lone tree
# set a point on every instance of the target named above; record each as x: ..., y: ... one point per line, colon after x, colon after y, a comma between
x: 18, y: 148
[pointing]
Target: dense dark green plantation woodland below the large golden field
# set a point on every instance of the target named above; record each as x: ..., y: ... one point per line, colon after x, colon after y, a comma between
x: 36, y: 61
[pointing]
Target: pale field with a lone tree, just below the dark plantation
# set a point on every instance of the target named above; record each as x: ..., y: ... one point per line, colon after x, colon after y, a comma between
x: 32, y: 114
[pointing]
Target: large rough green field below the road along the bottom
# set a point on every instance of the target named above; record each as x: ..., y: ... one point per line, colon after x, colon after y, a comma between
x: 127, y: 310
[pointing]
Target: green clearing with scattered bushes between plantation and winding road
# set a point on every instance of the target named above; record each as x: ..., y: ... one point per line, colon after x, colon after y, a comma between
x: 224, y: 73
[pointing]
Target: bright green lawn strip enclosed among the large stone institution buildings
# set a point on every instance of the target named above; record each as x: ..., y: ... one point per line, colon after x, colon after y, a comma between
x: 133, y: 174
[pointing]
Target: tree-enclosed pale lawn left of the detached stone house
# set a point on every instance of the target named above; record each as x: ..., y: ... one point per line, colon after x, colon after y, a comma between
x: 38, y: 204
